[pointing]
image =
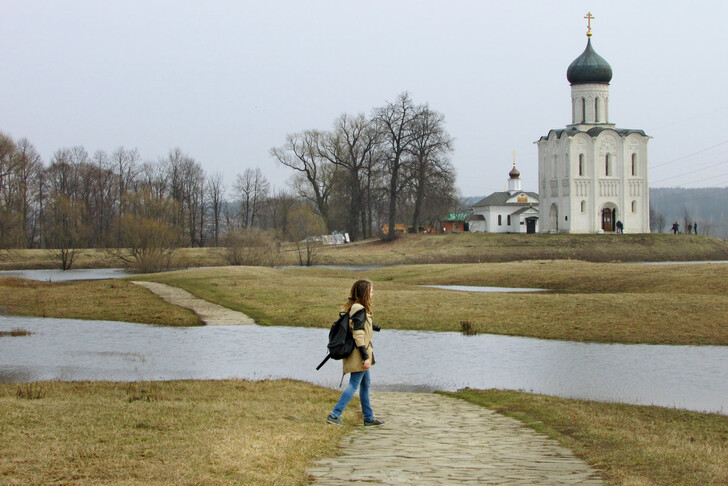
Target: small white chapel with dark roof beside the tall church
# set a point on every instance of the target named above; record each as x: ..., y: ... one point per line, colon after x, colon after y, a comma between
x: 511, y: 211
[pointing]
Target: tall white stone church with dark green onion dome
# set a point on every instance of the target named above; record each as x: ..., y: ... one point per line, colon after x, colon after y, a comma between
x: 592, y: 175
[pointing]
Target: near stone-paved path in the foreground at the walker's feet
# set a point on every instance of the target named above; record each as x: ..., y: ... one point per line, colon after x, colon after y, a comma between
x: 431, y: 439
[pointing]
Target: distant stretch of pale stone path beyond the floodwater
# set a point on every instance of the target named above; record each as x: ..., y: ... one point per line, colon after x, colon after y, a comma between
x: 211, y: 314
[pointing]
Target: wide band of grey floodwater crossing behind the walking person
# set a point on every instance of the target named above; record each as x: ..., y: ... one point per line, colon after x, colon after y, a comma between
x: 691, y: 377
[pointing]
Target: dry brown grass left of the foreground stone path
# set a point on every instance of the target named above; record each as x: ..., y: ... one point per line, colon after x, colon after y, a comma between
x: 182, y: 432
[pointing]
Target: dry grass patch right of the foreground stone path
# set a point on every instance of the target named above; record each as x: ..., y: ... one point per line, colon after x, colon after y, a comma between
x: 630, y: 445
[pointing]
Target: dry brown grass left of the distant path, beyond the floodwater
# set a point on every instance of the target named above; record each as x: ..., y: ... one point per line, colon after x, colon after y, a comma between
x: 116, y: 300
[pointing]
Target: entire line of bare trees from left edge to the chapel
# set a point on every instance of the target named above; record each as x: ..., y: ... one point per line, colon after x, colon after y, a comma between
x: 391, y: 166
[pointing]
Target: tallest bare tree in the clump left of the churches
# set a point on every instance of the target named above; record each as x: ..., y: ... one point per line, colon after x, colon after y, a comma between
x: 396, y: 124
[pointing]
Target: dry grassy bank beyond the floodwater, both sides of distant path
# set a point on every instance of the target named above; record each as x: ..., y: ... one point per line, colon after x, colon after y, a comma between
x: 590, y: 302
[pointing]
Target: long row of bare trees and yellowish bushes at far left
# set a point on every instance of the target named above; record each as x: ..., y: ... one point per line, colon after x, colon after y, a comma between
x: 113, y: 200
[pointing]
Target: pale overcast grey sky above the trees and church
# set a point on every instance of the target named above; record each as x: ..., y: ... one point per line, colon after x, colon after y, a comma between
x: 226, y: 81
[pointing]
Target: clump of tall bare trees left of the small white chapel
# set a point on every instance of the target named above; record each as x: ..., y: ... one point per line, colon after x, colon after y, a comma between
x: 390, y: 167
